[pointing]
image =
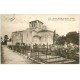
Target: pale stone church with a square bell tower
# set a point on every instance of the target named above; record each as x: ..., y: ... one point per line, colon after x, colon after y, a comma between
x: 36, y: 33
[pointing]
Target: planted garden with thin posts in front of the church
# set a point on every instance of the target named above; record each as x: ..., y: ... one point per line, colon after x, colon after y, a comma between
x: 48, y: 53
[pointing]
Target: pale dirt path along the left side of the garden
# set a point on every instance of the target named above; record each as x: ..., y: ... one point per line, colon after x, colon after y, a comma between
x: 10, y: 57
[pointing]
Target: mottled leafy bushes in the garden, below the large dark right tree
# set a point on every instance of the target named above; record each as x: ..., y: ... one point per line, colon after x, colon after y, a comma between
x: 69, y: 52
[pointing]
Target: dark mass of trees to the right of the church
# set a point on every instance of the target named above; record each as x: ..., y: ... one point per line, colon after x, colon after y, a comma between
x: 71, y: 37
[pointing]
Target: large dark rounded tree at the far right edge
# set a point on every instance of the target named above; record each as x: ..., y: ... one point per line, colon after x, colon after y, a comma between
x: 72, y: 37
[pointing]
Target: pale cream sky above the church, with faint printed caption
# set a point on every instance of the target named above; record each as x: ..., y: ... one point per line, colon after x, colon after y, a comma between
x: 62, y: 23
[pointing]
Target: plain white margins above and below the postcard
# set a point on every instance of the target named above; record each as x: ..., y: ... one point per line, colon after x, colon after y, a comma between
x: 39, y: 72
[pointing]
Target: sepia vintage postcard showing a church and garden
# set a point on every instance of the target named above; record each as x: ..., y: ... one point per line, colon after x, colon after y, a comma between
x: 40, y: 38
